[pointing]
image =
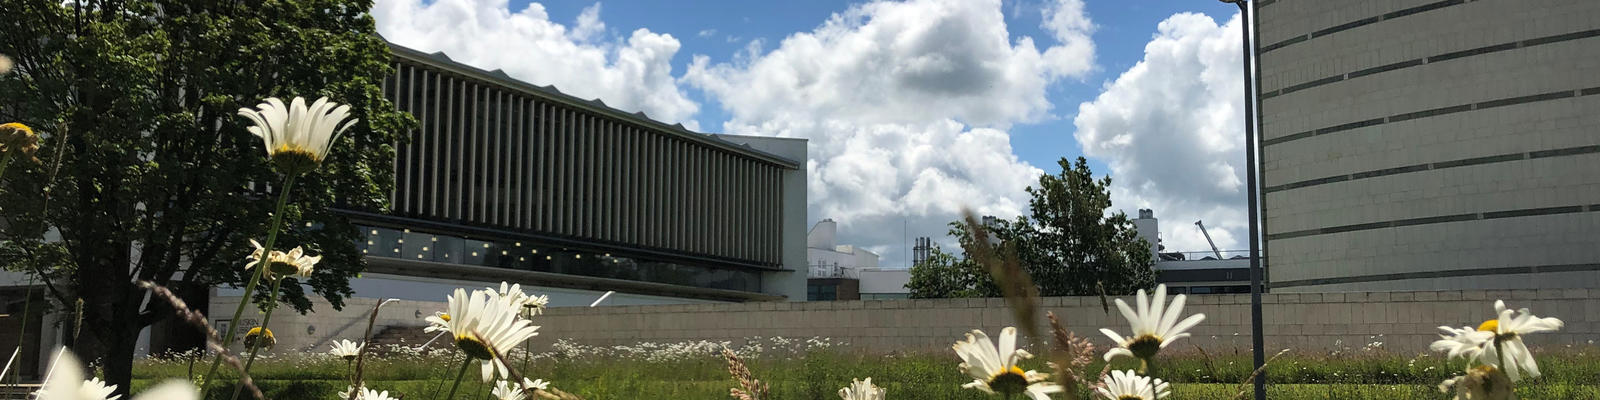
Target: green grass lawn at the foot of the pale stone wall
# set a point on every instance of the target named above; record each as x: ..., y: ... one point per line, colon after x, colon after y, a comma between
x: 1574, y: 374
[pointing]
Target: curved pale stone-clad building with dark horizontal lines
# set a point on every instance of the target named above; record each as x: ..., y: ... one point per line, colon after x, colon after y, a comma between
x: 1430, y: 145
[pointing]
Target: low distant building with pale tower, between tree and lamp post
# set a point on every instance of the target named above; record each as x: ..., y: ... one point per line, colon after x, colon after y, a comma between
x: 1194, y: 273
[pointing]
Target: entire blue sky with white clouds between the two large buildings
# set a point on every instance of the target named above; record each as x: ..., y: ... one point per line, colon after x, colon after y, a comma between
x: 913, y: 110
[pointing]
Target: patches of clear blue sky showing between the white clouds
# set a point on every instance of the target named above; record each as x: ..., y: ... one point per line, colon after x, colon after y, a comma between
x: 1121, y: 33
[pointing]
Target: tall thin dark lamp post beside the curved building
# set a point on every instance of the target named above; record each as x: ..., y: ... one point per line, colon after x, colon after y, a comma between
x: 1257, y: 337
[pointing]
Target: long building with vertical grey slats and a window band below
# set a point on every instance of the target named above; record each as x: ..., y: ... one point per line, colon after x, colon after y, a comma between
x: 508, y: 182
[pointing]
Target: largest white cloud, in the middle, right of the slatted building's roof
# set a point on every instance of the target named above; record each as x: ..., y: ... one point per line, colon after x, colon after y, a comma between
x: 906, y: 106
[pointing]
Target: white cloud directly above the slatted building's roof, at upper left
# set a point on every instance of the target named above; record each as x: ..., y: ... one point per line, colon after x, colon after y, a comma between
x: 631, y: 73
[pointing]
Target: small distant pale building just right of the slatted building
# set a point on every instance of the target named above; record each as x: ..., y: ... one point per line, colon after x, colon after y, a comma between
x: 834, y: 270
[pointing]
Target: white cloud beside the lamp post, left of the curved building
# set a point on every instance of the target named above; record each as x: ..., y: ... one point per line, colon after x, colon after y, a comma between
x: 1172, y: 132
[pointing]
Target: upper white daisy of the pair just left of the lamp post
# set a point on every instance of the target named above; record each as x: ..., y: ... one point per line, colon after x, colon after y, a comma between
x: 1153, y: 327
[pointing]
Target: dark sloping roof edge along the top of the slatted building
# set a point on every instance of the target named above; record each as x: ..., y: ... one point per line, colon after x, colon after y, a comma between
x: 441, y: 60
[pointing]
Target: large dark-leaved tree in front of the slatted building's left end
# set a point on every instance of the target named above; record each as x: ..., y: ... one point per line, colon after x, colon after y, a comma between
x: 150, y: 175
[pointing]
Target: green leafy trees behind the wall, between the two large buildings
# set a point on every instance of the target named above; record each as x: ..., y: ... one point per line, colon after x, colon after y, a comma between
x: 1070, y: 246
